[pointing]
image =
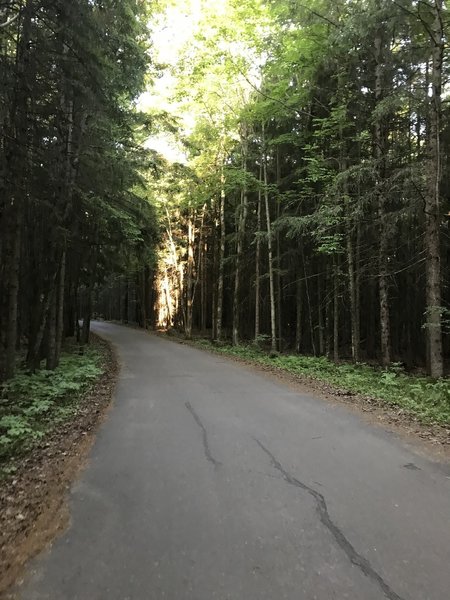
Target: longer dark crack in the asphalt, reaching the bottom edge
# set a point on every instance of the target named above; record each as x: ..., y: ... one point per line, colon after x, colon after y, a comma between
x: 321, y: 506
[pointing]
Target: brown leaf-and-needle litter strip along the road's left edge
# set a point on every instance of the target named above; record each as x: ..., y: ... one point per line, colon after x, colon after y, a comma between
x: 33, y: 497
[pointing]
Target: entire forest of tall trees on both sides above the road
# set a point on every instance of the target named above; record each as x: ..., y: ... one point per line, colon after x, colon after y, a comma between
x: 273, y: 173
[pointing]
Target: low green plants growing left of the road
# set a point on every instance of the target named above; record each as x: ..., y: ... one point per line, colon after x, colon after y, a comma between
x: 31, y: 405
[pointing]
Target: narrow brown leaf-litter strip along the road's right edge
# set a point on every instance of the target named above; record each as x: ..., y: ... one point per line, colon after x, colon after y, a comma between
x: 427, y: 436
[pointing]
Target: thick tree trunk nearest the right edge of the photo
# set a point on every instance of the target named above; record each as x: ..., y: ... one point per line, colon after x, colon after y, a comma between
x: 432, y: 198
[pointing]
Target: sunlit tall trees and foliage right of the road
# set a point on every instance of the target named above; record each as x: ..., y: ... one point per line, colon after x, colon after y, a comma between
x: 318, y: 136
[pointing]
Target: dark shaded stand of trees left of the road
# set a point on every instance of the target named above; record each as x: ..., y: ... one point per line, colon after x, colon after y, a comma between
x: 73, y: 206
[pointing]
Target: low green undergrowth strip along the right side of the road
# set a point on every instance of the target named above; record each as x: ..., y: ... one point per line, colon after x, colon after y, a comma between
x: 428, y: 400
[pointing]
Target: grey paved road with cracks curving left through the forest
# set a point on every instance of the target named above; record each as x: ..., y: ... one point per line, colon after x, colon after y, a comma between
x: 211, y: 482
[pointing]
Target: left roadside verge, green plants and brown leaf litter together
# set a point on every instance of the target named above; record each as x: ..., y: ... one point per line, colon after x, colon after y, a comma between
x: 48, y: 420
